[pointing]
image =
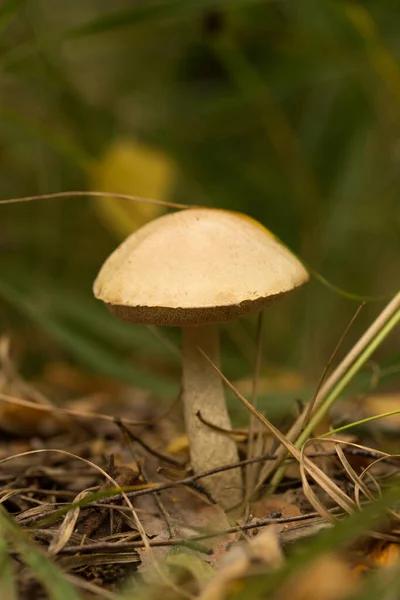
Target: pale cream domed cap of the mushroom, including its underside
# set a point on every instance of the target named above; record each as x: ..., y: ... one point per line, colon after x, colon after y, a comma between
x: 197, y: 266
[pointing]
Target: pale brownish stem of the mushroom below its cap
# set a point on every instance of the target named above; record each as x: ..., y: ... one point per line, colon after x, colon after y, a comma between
x: 203, y: 392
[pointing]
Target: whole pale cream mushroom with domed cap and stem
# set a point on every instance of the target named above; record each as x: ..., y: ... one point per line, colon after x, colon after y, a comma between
x: 195, y: 269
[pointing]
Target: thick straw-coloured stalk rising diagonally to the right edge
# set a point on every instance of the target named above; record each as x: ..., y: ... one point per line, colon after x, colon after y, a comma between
x: 362, y: 343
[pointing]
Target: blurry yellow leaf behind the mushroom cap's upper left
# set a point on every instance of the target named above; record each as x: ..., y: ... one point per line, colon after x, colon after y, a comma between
x: 131, y: 168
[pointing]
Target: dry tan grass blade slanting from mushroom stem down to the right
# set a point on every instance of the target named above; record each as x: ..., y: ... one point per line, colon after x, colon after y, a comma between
x: 315, y: 472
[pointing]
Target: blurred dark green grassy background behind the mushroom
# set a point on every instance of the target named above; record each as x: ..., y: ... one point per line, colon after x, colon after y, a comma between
x: 288, y: 111
